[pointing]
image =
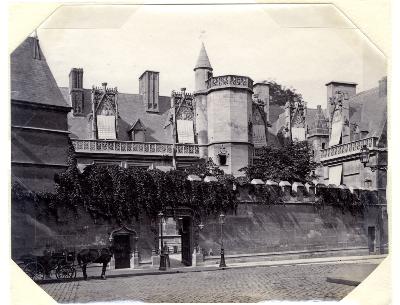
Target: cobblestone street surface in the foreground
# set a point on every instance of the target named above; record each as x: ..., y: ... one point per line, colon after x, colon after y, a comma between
x: 299, y: 282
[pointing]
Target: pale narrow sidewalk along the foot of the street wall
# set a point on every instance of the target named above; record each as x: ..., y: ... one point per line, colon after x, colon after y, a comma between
x: 95, y: 271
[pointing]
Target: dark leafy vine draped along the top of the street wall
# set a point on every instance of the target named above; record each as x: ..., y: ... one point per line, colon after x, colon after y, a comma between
x: 121, y: 194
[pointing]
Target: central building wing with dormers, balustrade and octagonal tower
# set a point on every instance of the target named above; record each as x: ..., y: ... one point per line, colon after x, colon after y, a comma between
x: 220, y: 120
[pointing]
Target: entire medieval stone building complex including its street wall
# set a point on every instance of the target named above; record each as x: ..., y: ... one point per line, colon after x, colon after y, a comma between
x: 226, y: 119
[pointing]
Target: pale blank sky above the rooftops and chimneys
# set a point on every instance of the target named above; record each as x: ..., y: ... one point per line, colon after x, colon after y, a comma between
x: 303, y: 46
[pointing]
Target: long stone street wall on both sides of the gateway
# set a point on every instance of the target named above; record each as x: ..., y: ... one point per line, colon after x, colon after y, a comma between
x: 298, y: 224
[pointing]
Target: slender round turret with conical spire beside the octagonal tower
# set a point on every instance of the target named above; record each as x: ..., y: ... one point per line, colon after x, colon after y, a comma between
x: 203, y: 71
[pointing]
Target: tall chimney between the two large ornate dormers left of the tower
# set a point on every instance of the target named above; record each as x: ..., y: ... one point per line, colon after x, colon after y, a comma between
x: 149, y: 89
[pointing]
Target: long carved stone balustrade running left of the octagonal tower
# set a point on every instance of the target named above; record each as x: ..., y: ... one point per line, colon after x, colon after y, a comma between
x: 134, y: 148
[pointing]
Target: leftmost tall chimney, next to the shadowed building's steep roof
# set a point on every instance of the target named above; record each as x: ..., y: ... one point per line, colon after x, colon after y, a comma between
x: 76, y: 90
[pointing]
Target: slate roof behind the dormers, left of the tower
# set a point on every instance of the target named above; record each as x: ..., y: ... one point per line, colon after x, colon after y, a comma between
x: 131, y: 108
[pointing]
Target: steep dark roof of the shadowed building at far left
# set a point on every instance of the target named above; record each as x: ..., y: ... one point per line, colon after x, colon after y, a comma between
x: 31, y: 78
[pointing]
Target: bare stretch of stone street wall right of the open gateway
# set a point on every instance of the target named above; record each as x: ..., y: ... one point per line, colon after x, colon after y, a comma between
x: 257, y: 228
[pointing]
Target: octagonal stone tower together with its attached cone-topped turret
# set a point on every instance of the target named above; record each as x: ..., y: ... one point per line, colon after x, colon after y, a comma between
x: 223, y: 116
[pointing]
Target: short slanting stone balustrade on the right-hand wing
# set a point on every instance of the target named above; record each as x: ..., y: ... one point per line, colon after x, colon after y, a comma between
x: 348, y: 149
